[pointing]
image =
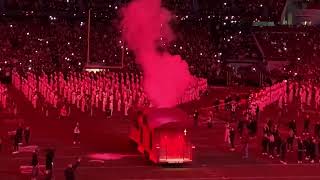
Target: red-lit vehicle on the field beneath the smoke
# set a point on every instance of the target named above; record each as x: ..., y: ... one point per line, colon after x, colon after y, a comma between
x: 162, y: 135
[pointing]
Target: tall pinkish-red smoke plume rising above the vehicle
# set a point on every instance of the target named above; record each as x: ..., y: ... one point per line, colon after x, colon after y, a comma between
x: 166, y: 77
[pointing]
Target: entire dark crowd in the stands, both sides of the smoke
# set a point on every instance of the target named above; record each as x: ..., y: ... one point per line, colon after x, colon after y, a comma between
x: 209, y: 35
